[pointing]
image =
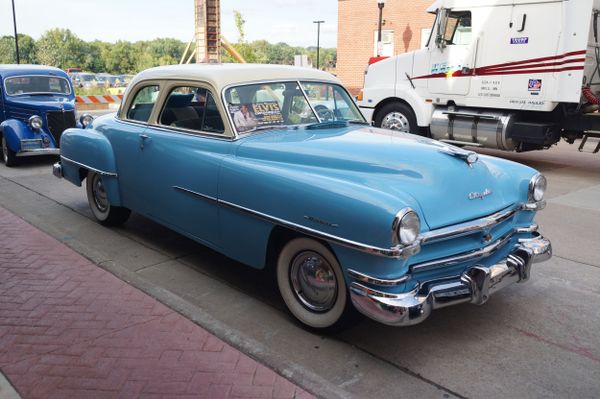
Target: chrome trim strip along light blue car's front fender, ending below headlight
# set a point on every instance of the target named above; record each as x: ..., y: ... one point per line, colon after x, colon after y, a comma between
x: 394, y: 252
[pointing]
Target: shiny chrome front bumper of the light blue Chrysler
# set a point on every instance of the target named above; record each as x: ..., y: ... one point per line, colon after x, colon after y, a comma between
x: 474, y: 286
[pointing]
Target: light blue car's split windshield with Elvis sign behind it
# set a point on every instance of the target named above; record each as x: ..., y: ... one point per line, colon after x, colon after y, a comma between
x: 265, y: 105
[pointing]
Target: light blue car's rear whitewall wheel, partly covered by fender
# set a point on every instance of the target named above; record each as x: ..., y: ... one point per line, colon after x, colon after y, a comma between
x: 103, y: 211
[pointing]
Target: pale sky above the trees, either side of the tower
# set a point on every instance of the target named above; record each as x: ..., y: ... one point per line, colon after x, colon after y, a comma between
x: 287, y: 21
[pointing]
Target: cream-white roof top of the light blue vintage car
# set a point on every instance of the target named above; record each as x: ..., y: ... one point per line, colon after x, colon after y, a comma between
x: 221, y: 75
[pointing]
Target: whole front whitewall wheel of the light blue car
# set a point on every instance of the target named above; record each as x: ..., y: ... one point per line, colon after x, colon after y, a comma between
x: 312, y: 285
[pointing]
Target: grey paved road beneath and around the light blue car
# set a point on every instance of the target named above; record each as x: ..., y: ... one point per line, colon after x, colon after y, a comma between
x: 539, y: 339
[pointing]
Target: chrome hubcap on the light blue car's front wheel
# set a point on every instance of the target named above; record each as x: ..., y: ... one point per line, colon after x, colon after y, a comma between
x: 313, y: 281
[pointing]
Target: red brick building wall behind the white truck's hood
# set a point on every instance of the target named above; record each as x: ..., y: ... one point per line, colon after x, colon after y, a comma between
x: 357, y: 27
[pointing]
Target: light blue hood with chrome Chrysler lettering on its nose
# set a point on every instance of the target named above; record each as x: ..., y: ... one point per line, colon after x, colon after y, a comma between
x: 446, y: 188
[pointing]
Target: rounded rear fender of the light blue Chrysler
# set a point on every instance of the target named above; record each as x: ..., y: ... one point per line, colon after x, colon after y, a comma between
x: 84, y: 150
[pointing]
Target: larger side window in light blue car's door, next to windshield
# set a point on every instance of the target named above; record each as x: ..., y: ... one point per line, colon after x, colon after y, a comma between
x: 192, y: 108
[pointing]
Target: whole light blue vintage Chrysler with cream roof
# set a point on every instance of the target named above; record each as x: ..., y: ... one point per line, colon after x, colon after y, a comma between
x: 275, y: 166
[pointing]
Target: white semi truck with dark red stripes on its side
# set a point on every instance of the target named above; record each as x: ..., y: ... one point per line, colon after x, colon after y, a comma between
x: 514, y: 75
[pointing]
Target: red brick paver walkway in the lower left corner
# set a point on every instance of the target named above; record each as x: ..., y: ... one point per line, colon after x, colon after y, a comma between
x: 69, y: 329
